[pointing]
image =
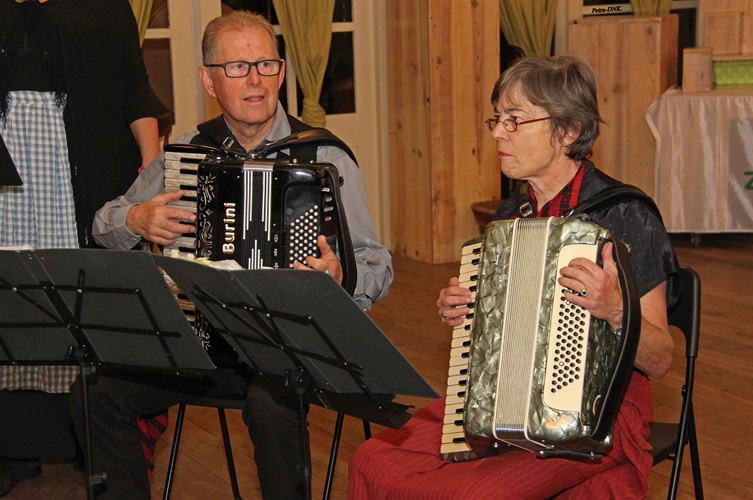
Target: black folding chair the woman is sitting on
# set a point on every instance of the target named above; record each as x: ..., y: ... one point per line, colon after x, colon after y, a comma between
x: 669, y: 439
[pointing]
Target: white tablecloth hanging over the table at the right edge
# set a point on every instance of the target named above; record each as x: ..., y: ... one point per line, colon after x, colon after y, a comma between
x: 704, y: 160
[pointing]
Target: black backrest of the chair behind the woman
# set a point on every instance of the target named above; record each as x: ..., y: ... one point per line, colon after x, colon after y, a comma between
x: 686, y: 313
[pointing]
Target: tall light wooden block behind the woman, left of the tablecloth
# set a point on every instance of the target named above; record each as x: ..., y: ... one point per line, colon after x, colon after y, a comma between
x: 635, y: 60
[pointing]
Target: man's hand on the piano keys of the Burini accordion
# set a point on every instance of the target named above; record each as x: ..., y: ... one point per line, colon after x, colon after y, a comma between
x: 158, y: 222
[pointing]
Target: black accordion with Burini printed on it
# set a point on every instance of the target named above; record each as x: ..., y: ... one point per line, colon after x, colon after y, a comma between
x: 261, y: 213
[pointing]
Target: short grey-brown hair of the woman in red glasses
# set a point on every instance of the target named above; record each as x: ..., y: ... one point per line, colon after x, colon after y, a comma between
x: 565, y: 87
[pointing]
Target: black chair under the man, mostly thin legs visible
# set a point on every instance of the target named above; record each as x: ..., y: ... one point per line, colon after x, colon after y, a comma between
x: 237, y: 404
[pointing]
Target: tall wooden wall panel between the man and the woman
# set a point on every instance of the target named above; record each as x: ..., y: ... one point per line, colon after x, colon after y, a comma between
x: 444, y: 61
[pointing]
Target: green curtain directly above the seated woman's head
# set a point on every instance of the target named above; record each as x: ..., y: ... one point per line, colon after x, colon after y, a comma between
x: 529, y: 24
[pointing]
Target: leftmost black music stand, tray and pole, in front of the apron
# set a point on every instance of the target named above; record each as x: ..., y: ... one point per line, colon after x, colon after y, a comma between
x: 93, y: 307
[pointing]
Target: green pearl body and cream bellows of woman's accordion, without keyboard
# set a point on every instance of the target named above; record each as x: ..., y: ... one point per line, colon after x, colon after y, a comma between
x: 540, y: 368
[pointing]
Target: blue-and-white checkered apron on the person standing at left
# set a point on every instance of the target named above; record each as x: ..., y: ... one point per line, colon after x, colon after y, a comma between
x: 39, y: 213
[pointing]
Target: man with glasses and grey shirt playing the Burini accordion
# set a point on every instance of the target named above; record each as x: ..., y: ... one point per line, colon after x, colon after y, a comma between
x: 243, y: 71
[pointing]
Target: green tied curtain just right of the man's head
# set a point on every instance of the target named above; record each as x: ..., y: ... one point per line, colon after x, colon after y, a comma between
x: 307, y: 29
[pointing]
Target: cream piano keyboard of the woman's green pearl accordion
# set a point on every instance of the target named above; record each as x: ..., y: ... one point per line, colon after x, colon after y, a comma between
x: 454, y: 446
